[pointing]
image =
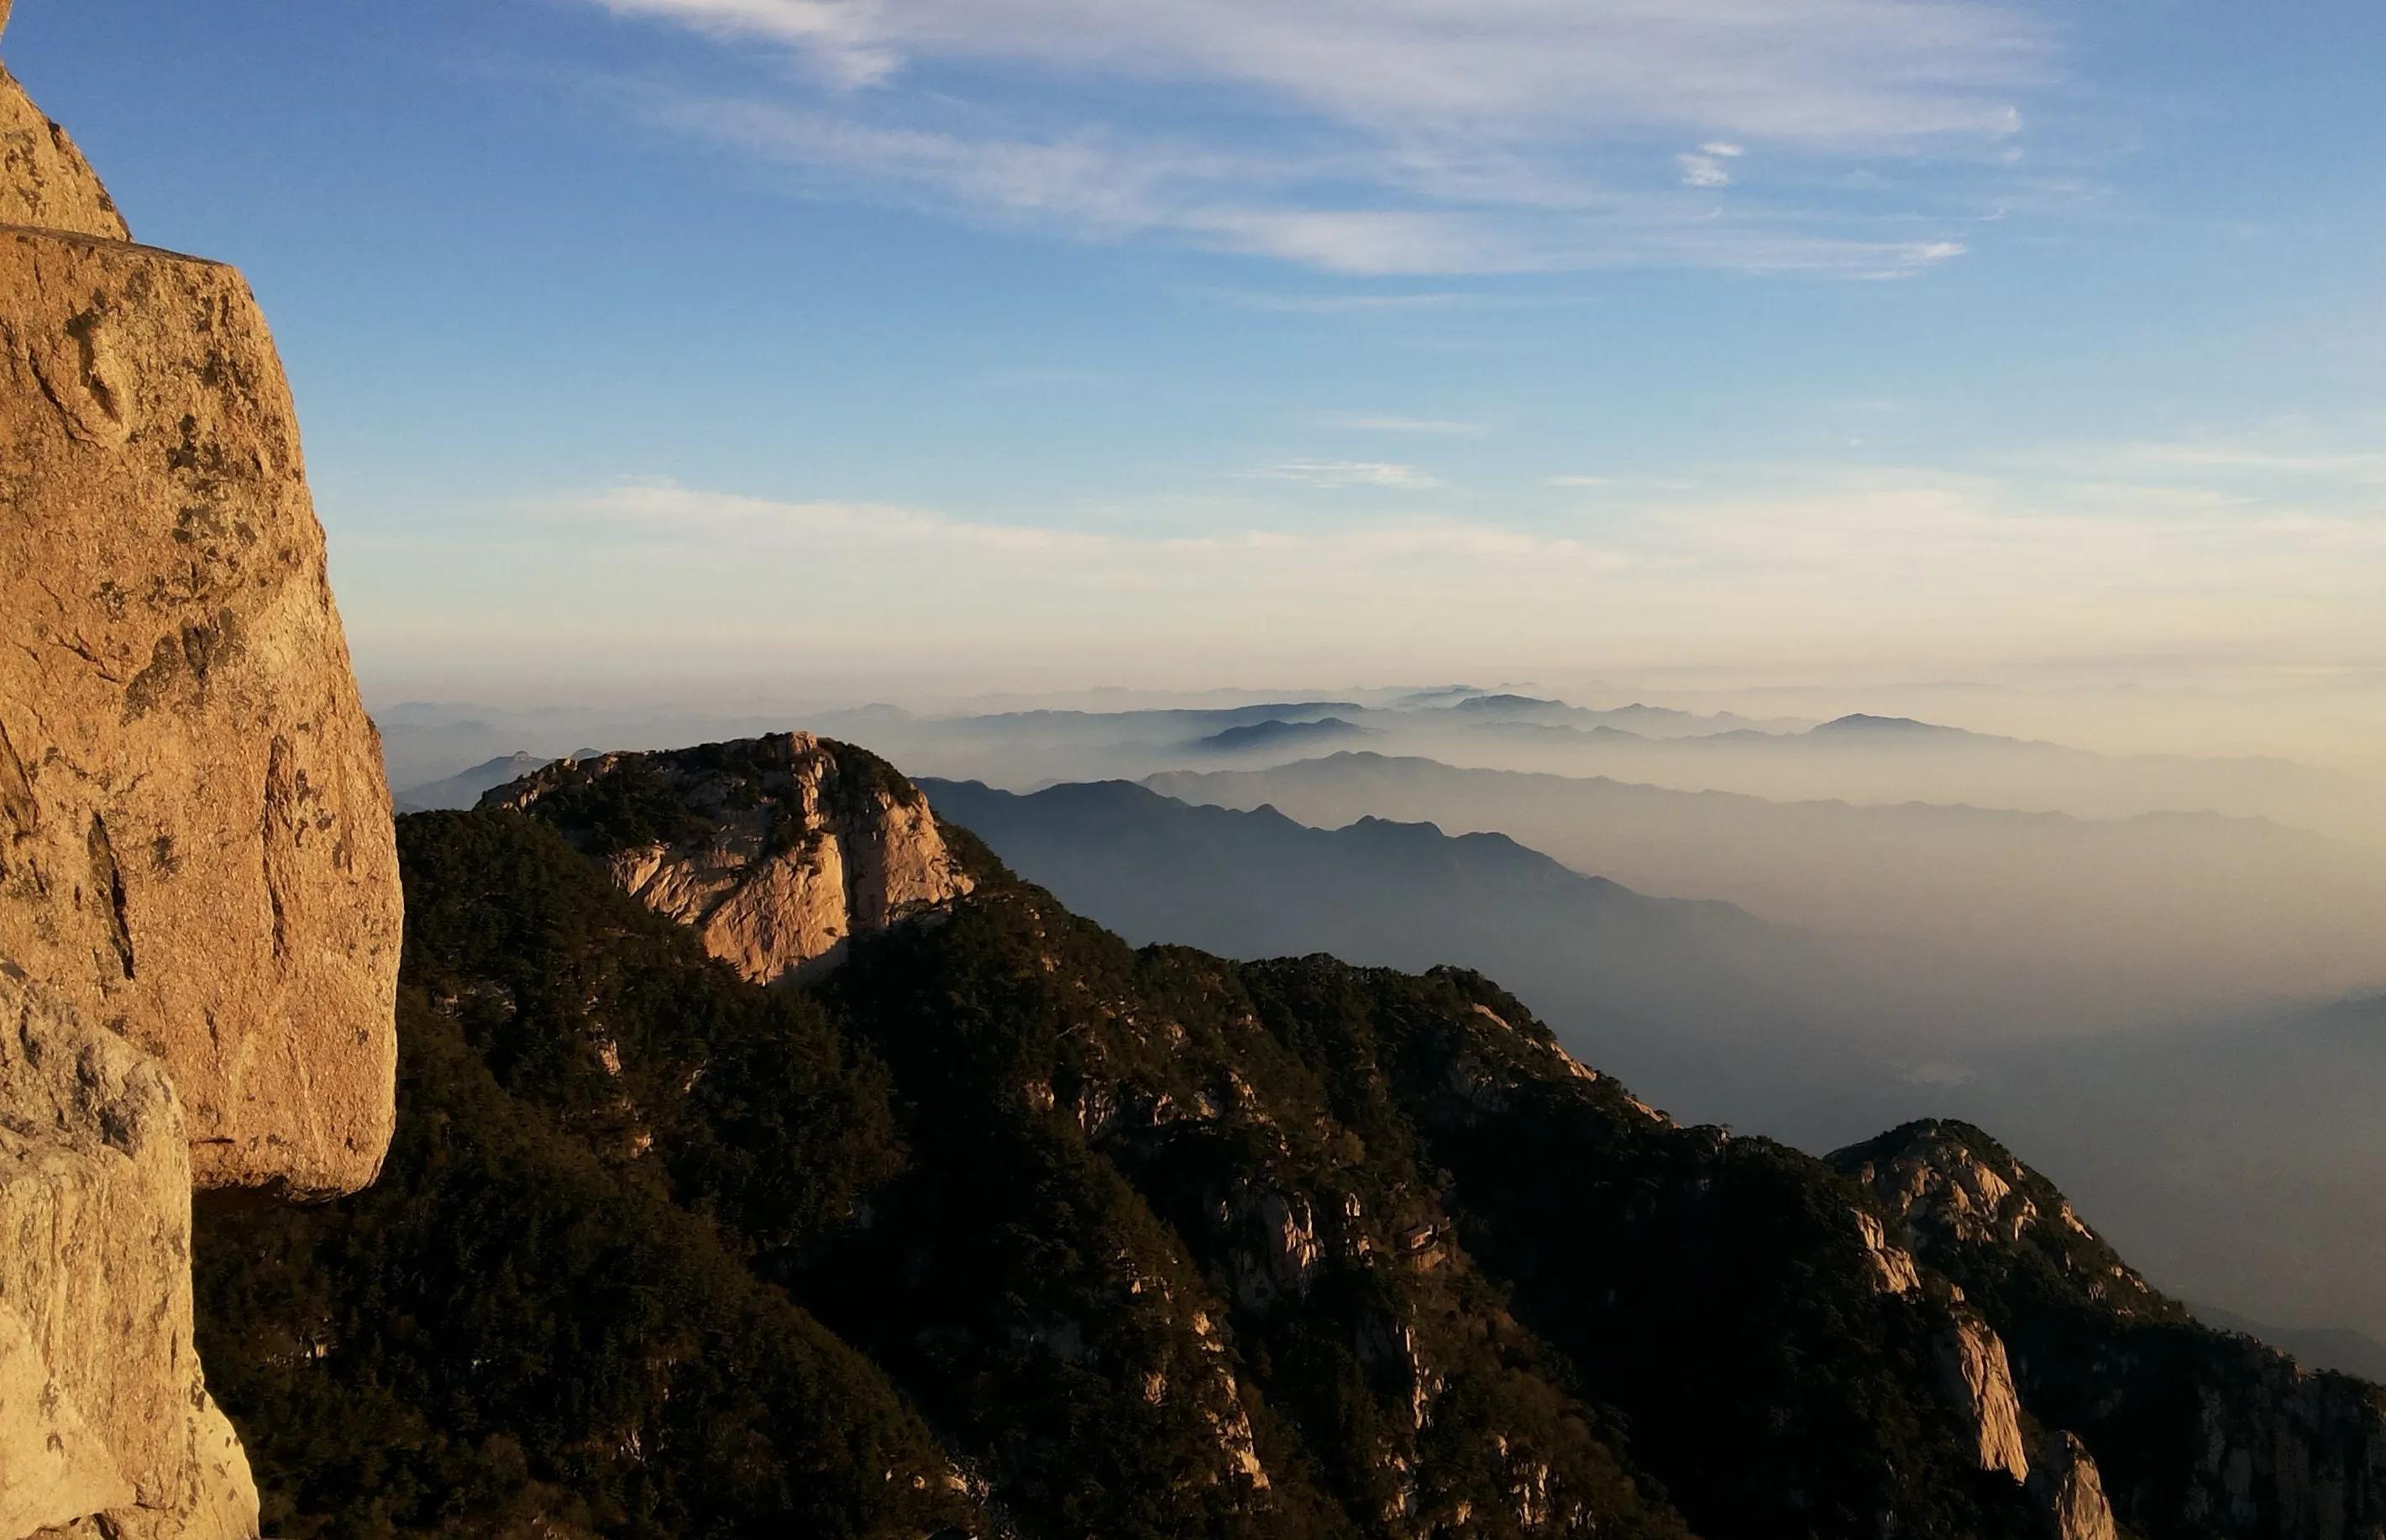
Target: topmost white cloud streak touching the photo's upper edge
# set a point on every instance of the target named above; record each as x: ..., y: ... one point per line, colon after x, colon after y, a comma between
x: 1817, y: 73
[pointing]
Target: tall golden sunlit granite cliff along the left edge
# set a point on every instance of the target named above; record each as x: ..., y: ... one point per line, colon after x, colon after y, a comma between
x: 199, y: 905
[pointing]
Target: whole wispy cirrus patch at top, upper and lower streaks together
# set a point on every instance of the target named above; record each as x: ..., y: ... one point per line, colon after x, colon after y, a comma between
x: 1404, y: 137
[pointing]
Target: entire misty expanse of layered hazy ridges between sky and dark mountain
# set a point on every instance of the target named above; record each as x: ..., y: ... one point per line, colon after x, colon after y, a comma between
x: 2163, y: 979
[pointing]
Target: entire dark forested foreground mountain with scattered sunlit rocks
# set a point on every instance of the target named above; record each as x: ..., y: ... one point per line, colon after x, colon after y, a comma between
x: 1008, y: 1229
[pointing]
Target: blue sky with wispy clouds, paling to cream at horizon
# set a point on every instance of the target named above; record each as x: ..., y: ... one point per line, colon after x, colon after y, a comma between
x: 1070, y: 342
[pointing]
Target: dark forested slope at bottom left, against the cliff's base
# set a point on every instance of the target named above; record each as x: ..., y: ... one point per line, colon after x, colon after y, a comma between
x: 512, y: 1336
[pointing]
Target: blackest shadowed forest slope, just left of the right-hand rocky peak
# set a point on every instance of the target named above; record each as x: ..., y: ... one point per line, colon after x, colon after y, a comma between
x: 1712, y: 1288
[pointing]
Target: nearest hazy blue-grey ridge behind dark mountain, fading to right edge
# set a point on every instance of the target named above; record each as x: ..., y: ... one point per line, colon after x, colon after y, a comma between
x: 1721, y: 1017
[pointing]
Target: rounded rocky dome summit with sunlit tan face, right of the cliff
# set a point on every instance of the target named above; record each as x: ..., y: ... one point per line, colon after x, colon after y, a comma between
x: 777, y: 852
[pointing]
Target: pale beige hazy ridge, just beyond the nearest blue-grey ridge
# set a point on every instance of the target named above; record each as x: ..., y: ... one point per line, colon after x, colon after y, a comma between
x: 2010, y: 917
